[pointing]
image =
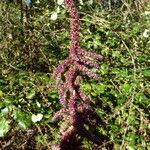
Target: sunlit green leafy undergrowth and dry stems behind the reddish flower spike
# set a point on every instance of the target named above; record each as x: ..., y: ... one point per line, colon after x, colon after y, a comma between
x: 35, y: 38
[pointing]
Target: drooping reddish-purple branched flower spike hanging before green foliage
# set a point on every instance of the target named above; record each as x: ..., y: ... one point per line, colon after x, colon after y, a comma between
x: 76, y: 111
